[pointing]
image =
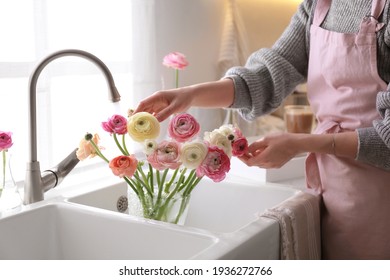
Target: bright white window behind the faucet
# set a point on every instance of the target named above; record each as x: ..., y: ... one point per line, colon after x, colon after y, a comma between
x: 71, y: 92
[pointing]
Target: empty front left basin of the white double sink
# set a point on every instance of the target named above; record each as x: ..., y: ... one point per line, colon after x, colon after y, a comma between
x: 65, y: 231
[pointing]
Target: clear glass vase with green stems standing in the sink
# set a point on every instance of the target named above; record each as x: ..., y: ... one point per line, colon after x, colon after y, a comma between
x: 160, y: 206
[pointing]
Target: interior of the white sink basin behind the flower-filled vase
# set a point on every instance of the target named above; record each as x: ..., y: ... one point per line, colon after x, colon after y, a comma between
x: 219, y: 207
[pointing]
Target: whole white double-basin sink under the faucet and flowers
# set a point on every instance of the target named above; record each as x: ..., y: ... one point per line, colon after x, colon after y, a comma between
x: 223, y: 222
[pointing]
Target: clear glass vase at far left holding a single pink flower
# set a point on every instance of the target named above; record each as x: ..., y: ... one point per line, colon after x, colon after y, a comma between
x: 9, y: 195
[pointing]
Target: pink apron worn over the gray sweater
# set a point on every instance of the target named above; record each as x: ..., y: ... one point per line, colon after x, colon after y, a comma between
x: 342, y: 86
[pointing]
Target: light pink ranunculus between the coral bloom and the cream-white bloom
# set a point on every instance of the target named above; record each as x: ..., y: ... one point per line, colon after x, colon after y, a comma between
x: 166, y: 155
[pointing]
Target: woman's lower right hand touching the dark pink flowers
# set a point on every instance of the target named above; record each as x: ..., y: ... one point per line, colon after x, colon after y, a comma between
x: 273, y: 151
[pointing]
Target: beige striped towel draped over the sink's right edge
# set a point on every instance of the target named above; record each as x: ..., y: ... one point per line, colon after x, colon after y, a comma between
x: 299, y: 221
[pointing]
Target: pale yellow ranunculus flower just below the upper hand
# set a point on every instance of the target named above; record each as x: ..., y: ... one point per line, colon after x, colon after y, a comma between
x: 142, y: 126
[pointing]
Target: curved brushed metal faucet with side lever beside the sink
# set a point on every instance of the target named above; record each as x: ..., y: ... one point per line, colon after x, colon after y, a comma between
x: 36, y: 183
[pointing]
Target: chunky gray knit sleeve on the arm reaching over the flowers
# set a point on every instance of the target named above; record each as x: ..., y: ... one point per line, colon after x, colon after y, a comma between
x: 271, y: 74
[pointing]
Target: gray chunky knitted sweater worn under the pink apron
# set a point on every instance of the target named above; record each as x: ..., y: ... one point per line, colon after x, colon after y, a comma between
x: 271, y: 74
